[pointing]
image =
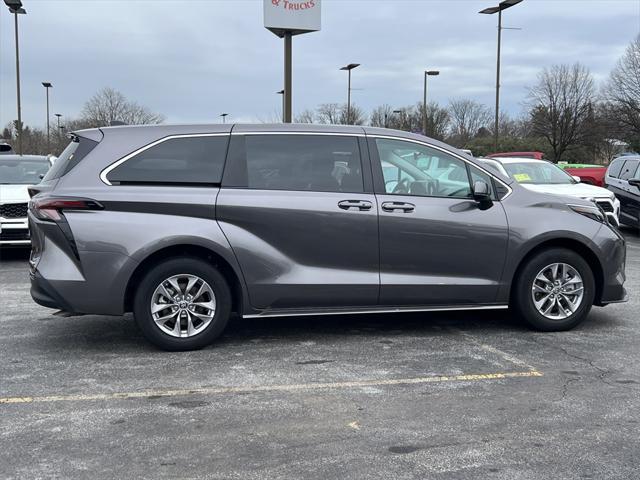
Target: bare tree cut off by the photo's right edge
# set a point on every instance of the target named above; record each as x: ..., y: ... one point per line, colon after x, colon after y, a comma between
x: 622, y: 92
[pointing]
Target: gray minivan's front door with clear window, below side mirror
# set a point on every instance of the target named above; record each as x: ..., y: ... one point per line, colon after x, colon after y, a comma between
x: 437, y: 247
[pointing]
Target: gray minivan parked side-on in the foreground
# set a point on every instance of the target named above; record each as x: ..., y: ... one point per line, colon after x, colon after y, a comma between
x: 183, y: 225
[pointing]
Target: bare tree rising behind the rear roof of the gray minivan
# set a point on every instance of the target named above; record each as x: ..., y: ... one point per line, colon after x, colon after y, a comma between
x: 109, y: 105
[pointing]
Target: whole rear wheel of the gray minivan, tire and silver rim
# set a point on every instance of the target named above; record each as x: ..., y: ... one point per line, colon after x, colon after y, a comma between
x: 182, y: 304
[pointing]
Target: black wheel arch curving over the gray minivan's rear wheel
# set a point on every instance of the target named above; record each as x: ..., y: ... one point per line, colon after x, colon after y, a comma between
x: 194, y: 251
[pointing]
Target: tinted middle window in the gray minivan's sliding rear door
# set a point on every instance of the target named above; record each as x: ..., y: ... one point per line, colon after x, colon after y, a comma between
x: 321, y: 163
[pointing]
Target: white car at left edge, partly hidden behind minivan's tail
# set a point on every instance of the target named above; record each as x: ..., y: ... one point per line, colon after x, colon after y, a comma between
x: 17, y: 172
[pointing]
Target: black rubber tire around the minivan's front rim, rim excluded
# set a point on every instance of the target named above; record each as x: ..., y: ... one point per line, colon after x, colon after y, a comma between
x: 522, y: 301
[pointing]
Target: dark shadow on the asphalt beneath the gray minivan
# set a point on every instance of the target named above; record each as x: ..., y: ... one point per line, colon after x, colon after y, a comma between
x: 99, y: 334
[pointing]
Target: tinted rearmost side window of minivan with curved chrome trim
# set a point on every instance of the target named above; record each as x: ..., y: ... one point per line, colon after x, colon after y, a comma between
x: 189, y: 160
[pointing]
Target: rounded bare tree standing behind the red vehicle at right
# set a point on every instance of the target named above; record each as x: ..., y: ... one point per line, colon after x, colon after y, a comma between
x: 562, y: 107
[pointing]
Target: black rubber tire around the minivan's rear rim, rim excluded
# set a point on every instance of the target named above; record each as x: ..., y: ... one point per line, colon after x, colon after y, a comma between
x: 179, y: 266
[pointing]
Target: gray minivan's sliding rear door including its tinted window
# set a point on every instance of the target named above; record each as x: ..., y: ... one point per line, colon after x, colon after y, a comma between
x: 301, y: 216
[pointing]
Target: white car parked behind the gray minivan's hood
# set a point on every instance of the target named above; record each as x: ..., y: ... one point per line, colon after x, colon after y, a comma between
x: 545, y: 177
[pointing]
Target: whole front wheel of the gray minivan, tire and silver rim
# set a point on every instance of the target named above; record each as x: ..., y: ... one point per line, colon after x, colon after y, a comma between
x: 554, y: 290
